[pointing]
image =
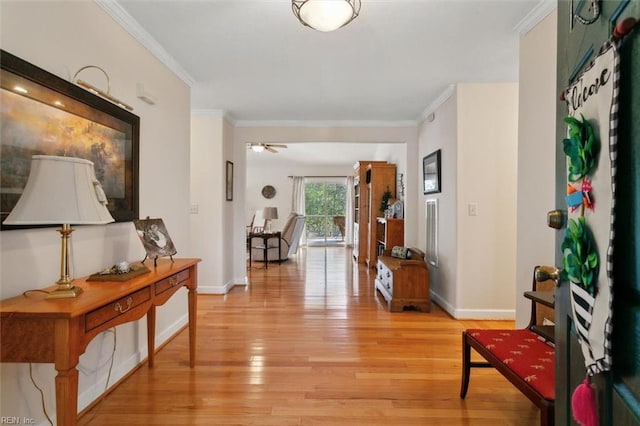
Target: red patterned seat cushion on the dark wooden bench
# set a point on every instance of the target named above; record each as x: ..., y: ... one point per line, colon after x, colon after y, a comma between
x: 523, y: 351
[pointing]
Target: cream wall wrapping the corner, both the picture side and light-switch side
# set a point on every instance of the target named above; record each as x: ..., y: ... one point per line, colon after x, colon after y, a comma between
x: 476, y: 129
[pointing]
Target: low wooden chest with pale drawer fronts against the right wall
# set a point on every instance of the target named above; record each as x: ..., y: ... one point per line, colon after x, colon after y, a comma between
x: 404, y: 283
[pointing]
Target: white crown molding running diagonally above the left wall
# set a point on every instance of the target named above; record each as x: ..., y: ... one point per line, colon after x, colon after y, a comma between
x: 126, y: 21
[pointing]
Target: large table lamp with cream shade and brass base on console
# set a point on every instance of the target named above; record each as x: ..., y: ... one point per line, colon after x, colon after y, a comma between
x: 61, y: 191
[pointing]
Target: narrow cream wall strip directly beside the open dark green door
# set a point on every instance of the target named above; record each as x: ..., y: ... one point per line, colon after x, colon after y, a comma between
x: 536, y: 150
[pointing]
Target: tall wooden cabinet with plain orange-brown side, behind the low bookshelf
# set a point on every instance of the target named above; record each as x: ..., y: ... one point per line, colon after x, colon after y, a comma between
x: 380, y: 177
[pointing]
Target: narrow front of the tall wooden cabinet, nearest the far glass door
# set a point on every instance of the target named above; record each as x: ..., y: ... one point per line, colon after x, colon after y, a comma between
x: 361, y: 209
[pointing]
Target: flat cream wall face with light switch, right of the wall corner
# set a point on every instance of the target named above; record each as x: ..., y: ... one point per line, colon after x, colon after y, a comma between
x: 487, y: 163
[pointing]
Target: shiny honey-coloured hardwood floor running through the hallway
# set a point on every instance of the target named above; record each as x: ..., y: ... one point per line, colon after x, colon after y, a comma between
x: 308, y: 342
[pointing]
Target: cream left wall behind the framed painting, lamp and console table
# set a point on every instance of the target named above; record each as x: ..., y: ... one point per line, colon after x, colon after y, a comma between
x: 61, y: 37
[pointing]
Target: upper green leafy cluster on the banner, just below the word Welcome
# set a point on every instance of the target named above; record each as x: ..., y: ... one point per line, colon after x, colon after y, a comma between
x: 581, y: 147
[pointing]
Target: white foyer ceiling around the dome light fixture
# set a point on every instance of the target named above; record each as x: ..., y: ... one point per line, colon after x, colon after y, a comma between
x: 254, y: 62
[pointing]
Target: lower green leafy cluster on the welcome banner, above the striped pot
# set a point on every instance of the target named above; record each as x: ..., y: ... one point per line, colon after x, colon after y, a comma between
x: 580, y: 262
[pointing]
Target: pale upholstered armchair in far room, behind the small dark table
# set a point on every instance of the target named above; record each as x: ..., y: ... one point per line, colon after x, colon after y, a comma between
x: 289, y: 241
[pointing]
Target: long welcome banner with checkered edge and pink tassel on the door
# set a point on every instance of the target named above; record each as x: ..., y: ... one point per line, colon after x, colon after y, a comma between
x: 588, y: 244
